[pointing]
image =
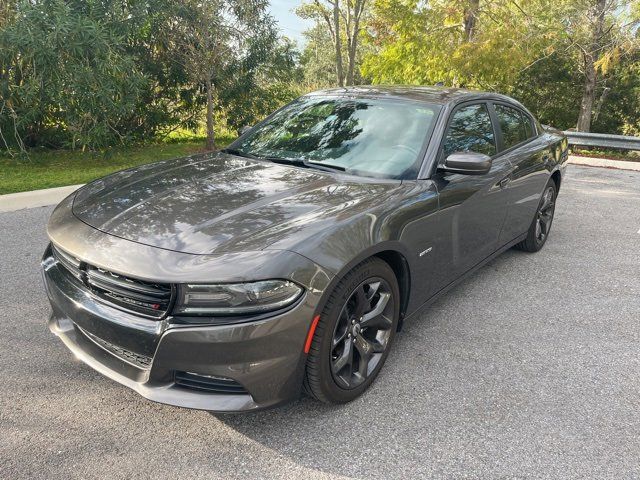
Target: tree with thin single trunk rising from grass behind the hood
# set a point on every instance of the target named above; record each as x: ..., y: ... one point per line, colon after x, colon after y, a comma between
x: 218, y: 37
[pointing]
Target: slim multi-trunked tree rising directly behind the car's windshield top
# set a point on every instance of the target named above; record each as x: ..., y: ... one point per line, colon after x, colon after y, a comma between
x: 342, y: 20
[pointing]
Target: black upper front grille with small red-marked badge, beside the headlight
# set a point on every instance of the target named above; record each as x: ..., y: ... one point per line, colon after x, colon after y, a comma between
x: 137, y: 296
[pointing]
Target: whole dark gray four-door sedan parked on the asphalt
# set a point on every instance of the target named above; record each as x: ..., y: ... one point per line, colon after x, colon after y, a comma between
x: 287, y: 262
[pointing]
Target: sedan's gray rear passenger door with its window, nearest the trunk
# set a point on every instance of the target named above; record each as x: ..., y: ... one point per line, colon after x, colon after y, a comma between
x: 529, y: 154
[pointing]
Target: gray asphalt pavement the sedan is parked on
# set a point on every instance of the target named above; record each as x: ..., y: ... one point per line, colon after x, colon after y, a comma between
x: 529, y: 369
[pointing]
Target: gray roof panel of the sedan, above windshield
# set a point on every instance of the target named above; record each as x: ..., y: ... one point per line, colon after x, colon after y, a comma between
x: 426, y: 94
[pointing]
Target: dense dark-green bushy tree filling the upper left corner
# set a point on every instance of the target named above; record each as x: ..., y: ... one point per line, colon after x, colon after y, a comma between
x: 90, y: 74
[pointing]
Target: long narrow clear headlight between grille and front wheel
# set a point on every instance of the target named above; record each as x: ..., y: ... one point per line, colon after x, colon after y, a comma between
x: 236, y: 298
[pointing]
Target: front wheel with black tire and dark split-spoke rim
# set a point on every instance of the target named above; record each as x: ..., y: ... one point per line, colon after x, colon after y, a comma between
x: 325, y: 379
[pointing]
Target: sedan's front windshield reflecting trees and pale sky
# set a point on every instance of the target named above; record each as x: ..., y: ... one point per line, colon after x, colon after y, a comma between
x: 369, y: 137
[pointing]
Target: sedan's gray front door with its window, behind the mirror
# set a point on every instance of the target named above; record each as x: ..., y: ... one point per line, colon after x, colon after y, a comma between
x: 473, y: 206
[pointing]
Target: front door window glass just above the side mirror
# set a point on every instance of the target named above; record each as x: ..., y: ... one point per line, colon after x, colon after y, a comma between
x: 470, y: 130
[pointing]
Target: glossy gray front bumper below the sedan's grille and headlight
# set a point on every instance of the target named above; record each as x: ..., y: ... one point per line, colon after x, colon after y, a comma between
x: 265, y: 357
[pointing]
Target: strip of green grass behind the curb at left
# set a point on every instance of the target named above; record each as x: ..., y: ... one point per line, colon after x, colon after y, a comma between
x: 47, y: 169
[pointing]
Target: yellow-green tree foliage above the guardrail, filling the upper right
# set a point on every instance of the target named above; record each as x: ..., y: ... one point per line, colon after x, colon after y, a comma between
x: 539, y: 52
